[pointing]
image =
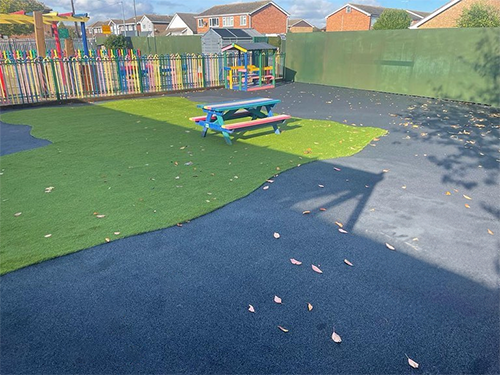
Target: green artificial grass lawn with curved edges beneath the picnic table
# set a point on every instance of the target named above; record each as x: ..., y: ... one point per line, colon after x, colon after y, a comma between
x: 143, y: 165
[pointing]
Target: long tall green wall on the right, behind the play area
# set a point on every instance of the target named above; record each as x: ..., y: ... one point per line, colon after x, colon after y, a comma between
x: 459, y: 64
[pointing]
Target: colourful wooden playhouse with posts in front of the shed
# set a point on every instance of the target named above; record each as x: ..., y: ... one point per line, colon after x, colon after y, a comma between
x: 255, y: 67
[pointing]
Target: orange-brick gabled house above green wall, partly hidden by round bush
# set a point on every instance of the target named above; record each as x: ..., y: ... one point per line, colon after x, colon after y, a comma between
x: 361, y: 17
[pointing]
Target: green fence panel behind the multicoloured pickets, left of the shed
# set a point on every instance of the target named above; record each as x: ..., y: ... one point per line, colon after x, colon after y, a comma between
x: 162, y: 45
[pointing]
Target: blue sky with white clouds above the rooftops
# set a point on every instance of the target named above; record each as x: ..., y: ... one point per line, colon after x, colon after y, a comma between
x: 313, y: 11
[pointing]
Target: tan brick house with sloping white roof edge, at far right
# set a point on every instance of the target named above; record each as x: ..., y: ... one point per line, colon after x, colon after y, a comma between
x: 447, y: 15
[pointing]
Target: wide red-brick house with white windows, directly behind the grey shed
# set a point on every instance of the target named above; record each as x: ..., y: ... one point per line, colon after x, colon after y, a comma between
x: 264, y: 16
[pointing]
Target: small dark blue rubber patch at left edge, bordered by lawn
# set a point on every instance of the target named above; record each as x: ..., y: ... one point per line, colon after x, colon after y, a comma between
x: 15, y: 138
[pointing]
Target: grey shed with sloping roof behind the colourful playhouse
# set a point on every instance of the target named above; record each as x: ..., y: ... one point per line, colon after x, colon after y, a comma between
x: 215, y: 39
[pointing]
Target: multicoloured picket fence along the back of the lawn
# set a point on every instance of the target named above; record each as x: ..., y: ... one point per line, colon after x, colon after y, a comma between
x: 36, y: 80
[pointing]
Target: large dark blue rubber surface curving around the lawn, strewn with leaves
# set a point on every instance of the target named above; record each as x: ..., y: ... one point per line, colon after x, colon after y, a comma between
x: 176, y: 300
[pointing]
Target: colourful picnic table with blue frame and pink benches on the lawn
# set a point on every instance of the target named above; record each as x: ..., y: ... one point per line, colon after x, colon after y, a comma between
x: 259, y: 110
